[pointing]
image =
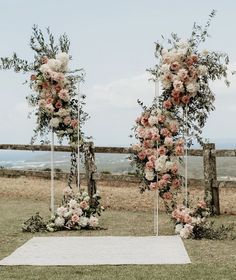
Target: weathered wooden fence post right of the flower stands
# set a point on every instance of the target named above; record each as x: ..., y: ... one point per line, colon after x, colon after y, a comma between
x: 210, y: 178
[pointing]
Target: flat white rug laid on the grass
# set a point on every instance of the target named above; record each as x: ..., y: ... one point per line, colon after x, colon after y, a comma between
x: 112, y: 250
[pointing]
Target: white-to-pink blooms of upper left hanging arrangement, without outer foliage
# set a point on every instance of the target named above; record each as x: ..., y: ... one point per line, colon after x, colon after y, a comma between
x: 53, y: 97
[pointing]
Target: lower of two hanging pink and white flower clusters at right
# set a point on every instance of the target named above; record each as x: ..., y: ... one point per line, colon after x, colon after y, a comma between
x: 156, y: 156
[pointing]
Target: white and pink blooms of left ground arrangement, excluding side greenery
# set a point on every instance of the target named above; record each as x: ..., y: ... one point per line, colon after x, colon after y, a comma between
x: 76, y: 212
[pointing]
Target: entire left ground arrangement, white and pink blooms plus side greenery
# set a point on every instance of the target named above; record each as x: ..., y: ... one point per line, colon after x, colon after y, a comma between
x: 76, y: 212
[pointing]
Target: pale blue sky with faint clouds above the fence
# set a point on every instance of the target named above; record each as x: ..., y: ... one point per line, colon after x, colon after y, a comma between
x: 114, y: 42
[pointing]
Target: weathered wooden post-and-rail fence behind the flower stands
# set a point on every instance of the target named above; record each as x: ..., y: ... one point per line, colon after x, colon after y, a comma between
x: 209, y: 154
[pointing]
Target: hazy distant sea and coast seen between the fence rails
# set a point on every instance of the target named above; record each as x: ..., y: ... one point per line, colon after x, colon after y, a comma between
x: 112, y: 163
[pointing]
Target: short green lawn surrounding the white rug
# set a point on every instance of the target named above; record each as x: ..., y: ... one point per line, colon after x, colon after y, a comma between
x: 210, y: 259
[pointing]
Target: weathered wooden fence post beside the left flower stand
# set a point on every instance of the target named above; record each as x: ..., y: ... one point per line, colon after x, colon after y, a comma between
x: 91, y: 169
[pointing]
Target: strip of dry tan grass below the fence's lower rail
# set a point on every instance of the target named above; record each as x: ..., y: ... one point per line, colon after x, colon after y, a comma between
x: 119, y: 196
